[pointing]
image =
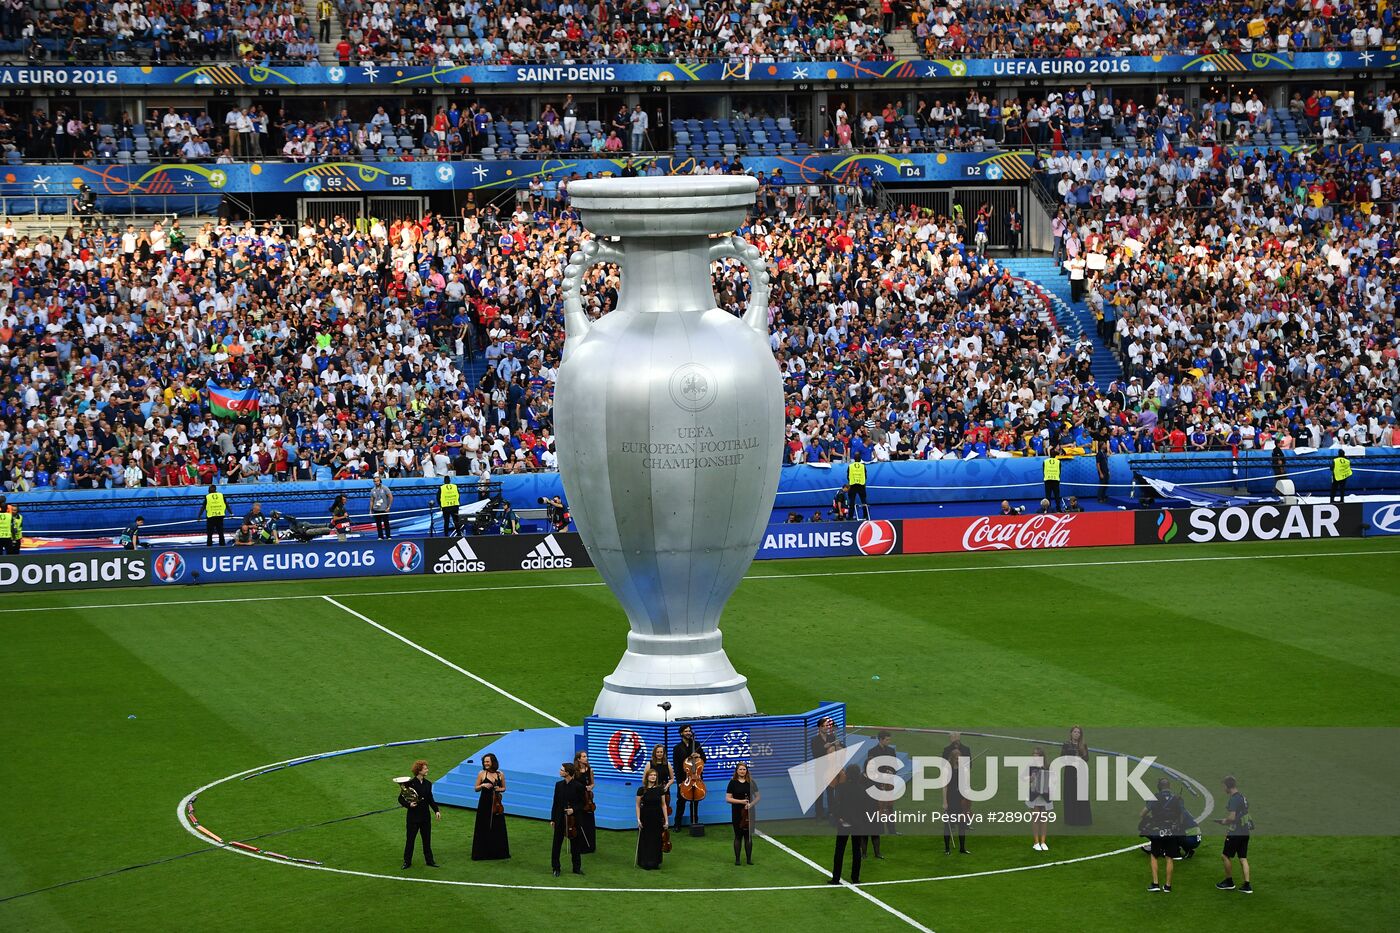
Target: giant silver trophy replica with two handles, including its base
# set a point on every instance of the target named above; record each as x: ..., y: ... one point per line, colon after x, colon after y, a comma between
x: 670, y: 428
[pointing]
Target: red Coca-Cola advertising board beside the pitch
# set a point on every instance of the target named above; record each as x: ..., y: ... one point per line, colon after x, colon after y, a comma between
x: 1018, y: 533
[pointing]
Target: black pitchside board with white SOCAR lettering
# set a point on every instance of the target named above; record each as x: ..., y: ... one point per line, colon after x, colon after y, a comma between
x: 1254, y: 523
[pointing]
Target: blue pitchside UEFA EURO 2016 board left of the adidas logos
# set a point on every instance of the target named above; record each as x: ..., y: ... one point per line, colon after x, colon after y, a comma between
x: 286, y: 562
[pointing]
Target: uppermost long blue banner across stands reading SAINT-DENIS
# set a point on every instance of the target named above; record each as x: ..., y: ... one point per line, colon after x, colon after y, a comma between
x: 719, y: 72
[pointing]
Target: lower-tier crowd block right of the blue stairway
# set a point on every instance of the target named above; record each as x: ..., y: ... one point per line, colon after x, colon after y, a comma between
x: 1249, y: 295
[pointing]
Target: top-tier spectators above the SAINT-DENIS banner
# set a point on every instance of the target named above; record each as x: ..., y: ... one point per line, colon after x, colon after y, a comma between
x: 450, y: 33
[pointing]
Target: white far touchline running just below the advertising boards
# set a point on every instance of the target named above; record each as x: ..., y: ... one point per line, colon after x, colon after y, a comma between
x: 758, y: 576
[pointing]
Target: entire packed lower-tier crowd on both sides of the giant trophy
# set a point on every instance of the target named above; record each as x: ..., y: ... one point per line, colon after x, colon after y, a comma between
x: 1261, y: 315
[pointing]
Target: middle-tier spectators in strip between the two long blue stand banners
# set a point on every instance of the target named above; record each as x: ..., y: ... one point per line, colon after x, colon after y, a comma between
x: 1063, y: 120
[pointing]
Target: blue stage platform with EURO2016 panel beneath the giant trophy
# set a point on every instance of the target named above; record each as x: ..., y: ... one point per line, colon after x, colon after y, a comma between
x: 618, y: 752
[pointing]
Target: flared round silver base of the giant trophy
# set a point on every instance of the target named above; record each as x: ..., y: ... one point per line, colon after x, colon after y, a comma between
x: 663, y: 672
